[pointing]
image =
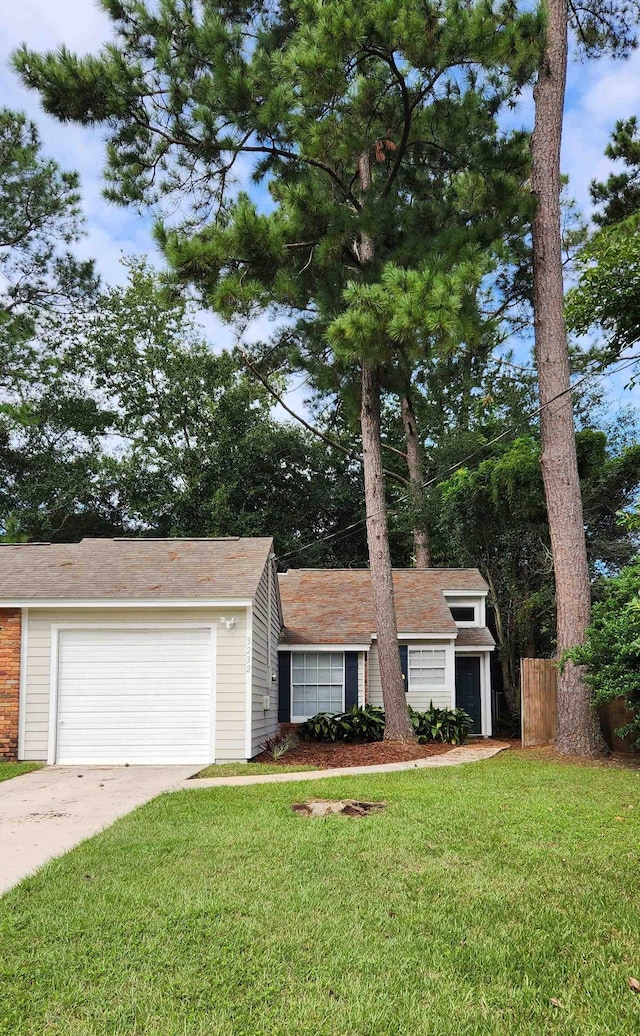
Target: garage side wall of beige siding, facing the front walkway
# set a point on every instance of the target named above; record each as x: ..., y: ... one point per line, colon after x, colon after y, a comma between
x: 265, y: 660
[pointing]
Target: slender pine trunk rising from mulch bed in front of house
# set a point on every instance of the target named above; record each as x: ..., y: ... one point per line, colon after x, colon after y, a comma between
x: 398, y: 726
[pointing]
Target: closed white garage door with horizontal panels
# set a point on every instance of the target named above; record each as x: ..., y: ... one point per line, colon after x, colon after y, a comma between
x: 133, y: 696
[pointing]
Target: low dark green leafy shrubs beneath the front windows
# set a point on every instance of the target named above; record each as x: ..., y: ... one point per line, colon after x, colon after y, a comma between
x: 451, y: 726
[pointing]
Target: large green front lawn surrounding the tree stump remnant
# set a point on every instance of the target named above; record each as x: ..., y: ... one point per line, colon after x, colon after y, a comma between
x: 479, y: 895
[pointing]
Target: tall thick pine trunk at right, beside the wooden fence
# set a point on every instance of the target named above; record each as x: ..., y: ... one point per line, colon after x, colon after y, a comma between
x: 578, y: 732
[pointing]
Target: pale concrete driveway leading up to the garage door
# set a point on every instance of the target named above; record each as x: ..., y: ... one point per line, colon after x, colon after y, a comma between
x: 47, y: 813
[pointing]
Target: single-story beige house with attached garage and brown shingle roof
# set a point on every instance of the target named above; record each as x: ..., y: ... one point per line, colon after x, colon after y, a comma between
x: 193, y: 650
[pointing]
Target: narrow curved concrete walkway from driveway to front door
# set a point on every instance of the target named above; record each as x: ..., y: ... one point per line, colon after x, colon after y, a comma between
x: 456, y: 758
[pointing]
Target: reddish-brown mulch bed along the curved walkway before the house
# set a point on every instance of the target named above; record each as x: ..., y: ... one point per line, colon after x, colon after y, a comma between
x: 327, y: 757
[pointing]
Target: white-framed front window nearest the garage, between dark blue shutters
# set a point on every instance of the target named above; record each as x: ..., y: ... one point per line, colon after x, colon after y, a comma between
x: 317, y: 684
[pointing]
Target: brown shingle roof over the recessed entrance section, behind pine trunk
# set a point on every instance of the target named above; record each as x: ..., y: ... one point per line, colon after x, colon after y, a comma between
x: 336, y: 606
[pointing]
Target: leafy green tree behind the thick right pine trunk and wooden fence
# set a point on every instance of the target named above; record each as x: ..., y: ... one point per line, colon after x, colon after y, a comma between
x: 494, y: 516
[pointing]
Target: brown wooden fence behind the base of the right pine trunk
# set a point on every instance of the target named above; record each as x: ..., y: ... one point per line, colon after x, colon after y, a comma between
x: 539, y: 703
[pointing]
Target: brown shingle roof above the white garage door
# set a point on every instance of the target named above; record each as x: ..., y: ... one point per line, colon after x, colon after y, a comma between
x: 136, y: 569
